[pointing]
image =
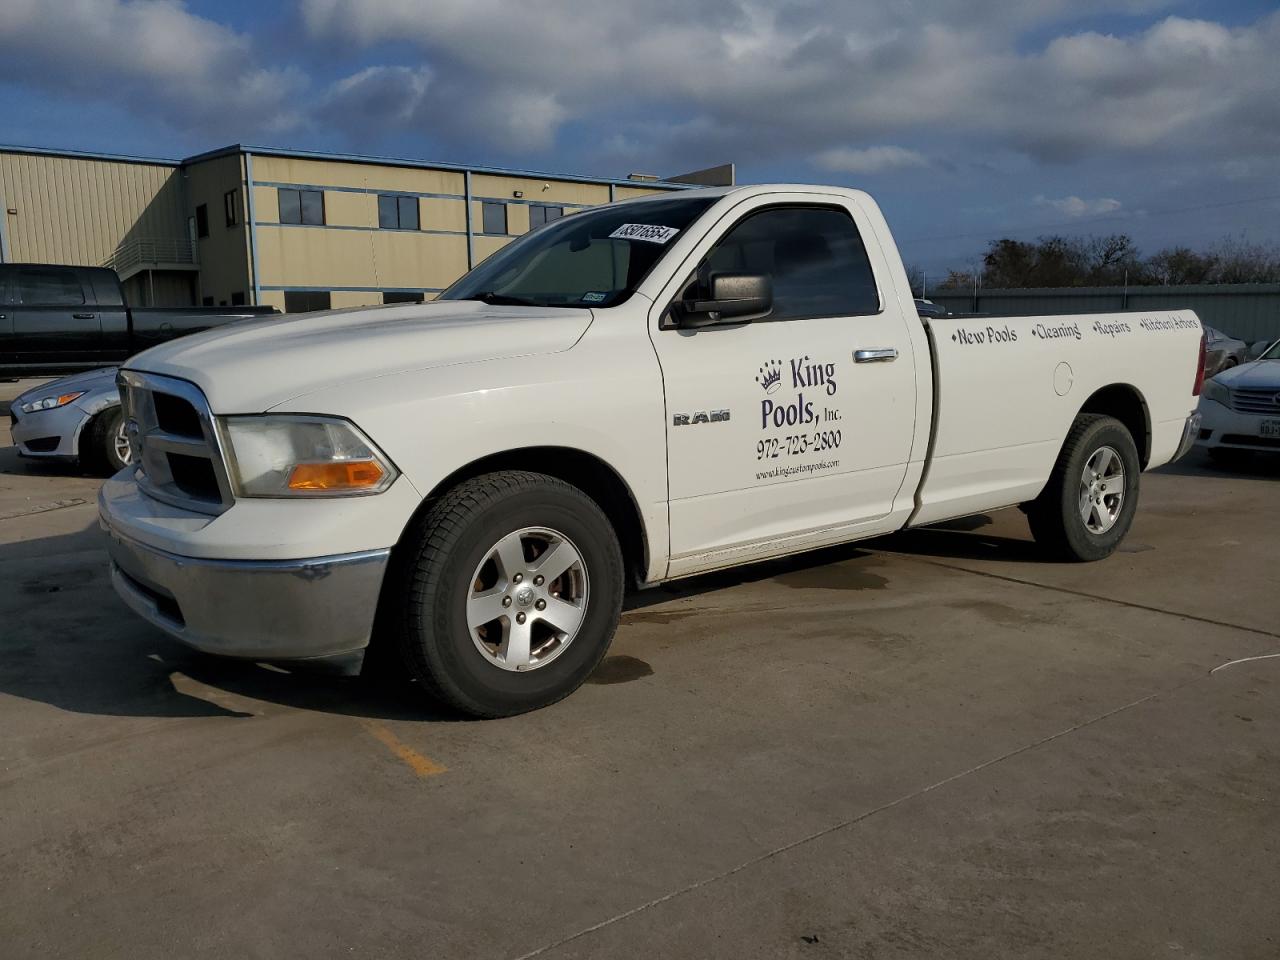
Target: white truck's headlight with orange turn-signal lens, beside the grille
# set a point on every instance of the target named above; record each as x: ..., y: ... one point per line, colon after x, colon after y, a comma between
x: 304, y: 456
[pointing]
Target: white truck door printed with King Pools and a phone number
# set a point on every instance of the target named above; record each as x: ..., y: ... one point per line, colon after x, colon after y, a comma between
x: 788, y: 429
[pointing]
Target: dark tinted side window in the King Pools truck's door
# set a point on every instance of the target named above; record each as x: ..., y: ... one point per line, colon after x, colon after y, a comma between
x: 815, y: 255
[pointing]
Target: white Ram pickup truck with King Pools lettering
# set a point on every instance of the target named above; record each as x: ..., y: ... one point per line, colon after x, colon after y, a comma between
x: 636, y: 394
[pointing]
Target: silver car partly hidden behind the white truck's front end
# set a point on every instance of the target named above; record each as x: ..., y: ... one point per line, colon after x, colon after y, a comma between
x: 76, y: 418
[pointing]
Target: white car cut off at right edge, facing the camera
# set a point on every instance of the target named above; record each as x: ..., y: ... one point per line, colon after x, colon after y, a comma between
x: 1241, y: 409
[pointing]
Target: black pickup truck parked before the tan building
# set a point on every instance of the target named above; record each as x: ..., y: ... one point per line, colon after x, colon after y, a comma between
x: 61, y: 319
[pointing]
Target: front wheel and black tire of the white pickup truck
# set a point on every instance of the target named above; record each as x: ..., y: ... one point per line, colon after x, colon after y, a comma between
x: 481, y: 547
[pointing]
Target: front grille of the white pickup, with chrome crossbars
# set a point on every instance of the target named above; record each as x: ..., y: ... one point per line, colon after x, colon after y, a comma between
x: 176, y: 442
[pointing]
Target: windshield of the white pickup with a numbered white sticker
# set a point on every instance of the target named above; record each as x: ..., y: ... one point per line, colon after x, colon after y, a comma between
x: 592, y: 259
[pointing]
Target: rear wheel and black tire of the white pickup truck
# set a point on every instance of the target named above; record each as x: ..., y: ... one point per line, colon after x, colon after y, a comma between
x: 1058, y: 516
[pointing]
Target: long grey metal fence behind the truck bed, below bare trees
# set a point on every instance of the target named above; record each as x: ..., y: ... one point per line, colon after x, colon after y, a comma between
x: 1250, y: 312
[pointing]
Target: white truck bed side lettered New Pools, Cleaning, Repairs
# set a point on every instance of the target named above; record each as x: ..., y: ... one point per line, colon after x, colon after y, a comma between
x: 989, y: 452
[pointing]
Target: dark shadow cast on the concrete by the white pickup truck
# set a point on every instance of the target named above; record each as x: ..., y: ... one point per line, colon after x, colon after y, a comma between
x: 68, y: 642
